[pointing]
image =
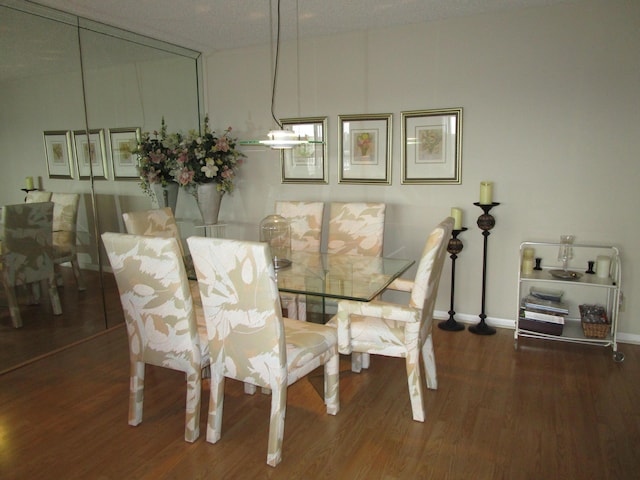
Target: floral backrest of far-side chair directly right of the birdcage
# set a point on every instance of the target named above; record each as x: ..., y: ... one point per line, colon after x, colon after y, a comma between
x: 305, y: 220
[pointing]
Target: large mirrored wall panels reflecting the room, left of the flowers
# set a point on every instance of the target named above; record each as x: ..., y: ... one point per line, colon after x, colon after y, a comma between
x: 61, y: 73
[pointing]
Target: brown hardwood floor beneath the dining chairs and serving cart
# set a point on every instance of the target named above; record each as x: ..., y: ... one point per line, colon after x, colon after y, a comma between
x: 547, y: 411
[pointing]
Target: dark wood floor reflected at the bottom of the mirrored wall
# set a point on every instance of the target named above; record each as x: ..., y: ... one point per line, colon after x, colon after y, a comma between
x: 82, y: 316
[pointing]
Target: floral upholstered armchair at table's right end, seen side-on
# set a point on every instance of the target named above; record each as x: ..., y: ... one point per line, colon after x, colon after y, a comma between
x: 394, y: 330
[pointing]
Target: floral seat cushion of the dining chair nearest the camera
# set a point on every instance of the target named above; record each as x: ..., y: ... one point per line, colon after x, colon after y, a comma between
x: 306, y: 341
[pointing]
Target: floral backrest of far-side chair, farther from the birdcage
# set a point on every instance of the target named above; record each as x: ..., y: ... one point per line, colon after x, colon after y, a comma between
x: 356, y: 228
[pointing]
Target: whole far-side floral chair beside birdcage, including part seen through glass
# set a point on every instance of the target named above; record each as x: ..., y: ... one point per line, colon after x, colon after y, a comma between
x: 305, y: 220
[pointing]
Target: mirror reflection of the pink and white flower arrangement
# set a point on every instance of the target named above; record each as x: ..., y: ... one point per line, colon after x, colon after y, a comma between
x: 157, y: 157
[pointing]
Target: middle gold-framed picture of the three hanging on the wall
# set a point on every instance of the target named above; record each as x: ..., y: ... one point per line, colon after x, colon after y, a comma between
x: 365, y: 149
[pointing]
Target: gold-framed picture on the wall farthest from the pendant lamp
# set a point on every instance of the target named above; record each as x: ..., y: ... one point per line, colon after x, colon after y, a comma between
x: 432, y: 146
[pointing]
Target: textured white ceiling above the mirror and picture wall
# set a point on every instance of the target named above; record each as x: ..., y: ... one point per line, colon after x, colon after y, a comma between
x: 207, y: 25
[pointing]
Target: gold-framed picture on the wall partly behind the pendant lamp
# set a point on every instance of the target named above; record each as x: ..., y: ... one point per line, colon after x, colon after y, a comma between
x: 306, y: 163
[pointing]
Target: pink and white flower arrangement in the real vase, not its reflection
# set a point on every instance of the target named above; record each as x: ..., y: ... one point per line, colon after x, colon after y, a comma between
x: 208, y: 158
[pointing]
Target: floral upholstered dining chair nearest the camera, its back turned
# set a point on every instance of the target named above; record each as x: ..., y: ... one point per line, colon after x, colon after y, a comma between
x: 249, y: 340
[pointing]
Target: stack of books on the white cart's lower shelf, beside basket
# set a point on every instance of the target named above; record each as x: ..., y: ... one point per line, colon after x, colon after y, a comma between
x: 542, y: 315
